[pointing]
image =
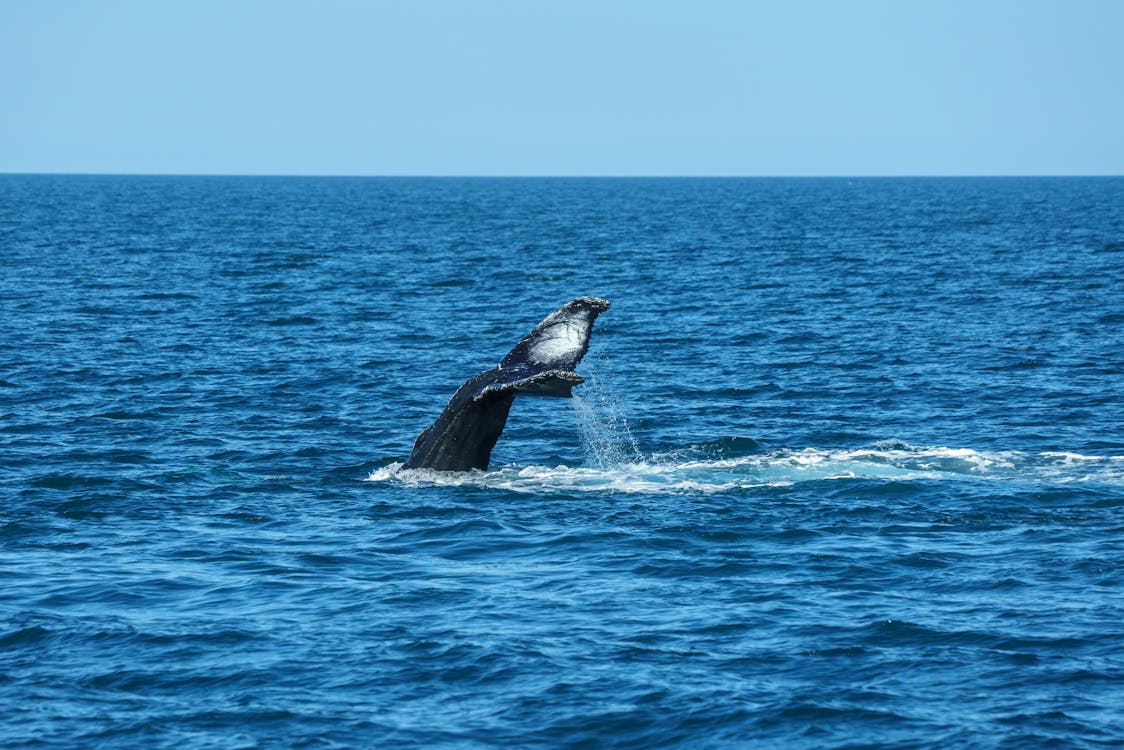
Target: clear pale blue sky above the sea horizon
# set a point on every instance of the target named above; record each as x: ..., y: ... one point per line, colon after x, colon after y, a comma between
x: 563, y: 87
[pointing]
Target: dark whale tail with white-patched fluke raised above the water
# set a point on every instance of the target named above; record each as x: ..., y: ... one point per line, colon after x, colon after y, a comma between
x: 541, y: 365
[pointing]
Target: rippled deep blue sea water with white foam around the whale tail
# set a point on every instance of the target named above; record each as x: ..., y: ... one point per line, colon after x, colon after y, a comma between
x: 848, y: 469
